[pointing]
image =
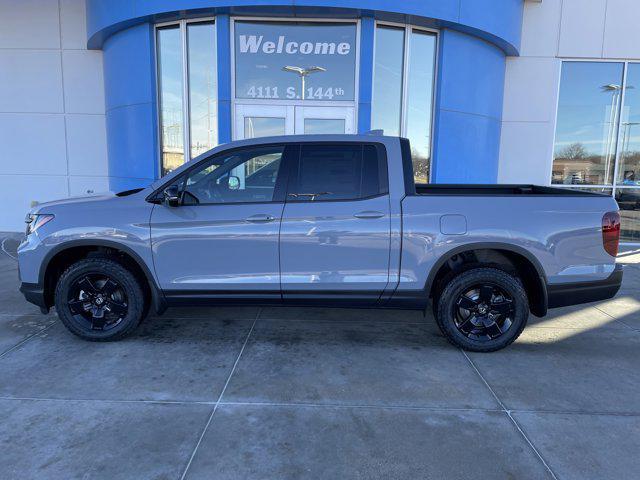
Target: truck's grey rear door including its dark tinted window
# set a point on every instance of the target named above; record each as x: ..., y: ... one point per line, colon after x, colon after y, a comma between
x: 335, y: 231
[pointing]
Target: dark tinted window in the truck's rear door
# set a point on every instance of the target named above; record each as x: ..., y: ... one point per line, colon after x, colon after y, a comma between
x: 340, y: 172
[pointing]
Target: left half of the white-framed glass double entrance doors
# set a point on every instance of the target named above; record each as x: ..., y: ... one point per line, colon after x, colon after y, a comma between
x: 263, y: 121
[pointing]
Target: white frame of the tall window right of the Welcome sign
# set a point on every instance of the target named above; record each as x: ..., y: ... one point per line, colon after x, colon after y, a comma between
x: 408, y: 28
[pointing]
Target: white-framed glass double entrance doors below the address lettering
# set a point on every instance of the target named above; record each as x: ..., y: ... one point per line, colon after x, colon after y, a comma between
x: 259, y: 120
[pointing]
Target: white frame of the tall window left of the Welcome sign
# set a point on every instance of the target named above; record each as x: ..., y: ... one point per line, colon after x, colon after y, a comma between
x: 186, y: 108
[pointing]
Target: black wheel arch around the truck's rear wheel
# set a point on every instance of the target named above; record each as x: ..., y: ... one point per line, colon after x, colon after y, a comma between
x: 526, y: 264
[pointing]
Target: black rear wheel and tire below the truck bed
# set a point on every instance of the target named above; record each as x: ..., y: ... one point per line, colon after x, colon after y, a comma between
x: 482, y: 310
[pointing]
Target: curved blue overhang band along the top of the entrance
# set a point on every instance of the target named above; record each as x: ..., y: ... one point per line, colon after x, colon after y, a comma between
x: 498, y: 21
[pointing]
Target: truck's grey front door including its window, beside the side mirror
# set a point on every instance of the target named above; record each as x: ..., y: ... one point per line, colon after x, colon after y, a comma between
x: 223, y: 238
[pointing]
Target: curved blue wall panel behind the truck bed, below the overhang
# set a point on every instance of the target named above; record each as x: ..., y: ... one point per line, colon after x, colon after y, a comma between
x: 468, y: 110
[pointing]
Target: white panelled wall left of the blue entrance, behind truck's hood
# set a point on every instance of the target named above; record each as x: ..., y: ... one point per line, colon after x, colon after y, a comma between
x: 52, y: 123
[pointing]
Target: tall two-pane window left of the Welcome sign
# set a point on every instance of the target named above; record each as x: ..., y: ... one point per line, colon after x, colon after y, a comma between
x: 187, y: 83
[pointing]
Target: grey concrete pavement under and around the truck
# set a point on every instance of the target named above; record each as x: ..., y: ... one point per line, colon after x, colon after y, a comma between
x: 281, y: 393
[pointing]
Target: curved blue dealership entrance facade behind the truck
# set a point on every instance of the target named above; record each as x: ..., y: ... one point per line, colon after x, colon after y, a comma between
x: 463, y: 89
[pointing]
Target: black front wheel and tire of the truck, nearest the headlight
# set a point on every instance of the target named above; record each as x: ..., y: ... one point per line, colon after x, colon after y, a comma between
x: 100, y: 300
